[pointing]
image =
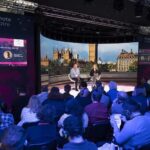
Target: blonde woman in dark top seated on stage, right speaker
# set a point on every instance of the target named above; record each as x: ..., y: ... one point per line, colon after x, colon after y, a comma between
x: 95, y: 74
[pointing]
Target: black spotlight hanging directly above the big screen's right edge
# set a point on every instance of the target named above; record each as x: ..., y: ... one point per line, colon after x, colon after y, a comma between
x: 139, y: 9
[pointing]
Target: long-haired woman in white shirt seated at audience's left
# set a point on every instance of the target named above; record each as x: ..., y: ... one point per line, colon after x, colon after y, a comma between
x: 29, y: 113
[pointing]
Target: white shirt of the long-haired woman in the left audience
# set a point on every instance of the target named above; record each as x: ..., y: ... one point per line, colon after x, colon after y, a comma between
x: 27, y: 116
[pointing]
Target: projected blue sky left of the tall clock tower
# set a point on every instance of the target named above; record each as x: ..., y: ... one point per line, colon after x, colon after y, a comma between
x: 47, y: 46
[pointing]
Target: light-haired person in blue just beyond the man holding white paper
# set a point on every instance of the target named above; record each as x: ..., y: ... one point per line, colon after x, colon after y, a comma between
x: 117, y: 105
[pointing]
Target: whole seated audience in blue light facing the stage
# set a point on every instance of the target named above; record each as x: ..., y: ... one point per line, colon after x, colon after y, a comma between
x: 64, y: 122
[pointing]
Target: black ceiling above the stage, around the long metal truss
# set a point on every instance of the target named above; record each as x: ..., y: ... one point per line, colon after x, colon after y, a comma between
x: 60, y: 28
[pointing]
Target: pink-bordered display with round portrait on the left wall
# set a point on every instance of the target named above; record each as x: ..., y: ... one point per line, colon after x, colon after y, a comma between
x: 13, y: 52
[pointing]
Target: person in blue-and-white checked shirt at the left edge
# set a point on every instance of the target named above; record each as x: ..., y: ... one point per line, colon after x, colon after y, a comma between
x: 6, y: 119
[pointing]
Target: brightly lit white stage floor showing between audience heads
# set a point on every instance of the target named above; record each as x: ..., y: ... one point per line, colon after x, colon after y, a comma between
x: 127, y: 87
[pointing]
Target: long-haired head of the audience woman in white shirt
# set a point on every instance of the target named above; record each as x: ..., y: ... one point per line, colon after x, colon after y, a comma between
x: 34, y: 103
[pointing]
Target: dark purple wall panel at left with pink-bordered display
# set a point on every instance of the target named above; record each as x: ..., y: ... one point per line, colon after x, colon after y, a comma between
x: 17, y: 62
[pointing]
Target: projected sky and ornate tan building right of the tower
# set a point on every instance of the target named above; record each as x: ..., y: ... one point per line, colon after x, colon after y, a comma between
x: 120, y: 57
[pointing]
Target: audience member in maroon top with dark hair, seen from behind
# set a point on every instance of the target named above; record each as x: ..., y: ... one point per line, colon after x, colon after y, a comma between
x: 96, y: 111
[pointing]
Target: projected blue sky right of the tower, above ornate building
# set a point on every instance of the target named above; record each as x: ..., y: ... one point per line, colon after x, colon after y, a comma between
x: 109, y: 52
